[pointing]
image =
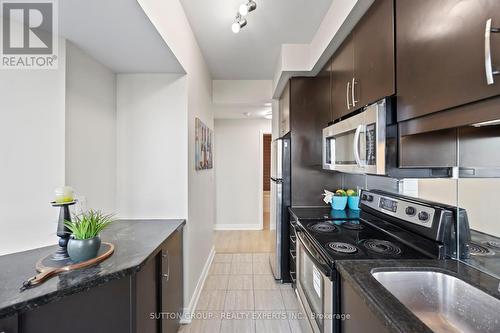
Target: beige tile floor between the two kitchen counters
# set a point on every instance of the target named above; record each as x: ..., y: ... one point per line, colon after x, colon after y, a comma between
x: 240, y: 295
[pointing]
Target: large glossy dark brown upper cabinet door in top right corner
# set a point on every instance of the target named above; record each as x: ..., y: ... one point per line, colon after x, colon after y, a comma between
x: 443, y: 54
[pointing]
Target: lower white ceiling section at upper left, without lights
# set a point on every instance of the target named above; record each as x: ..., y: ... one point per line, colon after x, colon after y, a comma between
x: 118, y: 34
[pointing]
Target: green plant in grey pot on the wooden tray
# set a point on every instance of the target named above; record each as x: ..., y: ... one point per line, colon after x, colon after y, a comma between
x: 85, y: 242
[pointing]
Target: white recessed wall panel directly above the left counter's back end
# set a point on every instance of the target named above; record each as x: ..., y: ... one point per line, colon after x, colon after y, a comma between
x: 152, y: 146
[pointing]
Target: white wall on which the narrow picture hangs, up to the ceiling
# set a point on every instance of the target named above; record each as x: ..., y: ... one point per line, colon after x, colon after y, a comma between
x: 171, y: 22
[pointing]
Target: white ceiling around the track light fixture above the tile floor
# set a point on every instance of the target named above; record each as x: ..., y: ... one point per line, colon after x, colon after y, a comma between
x: 253, y: 53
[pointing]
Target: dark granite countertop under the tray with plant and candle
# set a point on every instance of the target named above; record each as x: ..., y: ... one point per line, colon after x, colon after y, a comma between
x: 135, y: 242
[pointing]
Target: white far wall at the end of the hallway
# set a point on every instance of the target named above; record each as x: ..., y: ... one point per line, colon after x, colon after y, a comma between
x: 238, y: 161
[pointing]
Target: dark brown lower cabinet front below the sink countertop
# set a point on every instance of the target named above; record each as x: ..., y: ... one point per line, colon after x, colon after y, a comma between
x: 361, y: 317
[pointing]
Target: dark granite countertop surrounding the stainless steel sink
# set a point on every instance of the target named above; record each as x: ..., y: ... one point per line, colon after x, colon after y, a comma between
x: 394, y: 315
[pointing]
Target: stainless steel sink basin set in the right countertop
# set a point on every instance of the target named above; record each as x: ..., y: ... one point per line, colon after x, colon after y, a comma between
x: 443, y: 302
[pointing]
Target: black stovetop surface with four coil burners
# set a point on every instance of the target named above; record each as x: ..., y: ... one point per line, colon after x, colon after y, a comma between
x: 355, y: 239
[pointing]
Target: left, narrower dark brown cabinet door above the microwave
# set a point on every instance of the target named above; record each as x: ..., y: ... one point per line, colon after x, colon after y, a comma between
x: 342, y: 74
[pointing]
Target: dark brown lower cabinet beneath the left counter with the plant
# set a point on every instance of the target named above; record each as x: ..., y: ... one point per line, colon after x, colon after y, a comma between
x: 149, y: 301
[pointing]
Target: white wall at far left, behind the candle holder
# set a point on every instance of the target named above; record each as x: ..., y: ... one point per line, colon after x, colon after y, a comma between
x: 32, y: 152
